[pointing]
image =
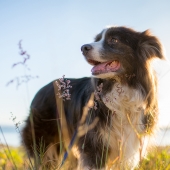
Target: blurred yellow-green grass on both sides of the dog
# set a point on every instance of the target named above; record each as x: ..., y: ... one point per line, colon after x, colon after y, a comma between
x: 13, y: 158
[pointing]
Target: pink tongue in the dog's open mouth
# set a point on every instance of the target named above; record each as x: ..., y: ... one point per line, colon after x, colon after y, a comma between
x: 105, y: 67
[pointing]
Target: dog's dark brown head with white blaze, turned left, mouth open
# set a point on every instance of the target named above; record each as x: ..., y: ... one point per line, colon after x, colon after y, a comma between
x: 121, y: 51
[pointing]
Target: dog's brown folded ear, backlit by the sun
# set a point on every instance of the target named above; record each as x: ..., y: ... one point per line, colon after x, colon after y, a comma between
x: 149, y: 46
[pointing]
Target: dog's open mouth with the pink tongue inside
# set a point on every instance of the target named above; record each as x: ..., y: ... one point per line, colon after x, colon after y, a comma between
x: 100, y: 68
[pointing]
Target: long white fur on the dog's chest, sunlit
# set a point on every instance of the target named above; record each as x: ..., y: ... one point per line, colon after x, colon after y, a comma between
x: 123, y: 134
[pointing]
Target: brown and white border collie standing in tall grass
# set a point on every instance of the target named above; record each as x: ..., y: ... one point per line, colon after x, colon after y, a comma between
x: 125, y: 104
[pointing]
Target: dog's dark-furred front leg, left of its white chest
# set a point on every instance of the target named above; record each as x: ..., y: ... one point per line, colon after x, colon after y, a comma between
x: 93, y: 154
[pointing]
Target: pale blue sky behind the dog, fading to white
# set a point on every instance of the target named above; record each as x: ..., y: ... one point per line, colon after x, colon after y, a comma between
x: 52, y: 33
